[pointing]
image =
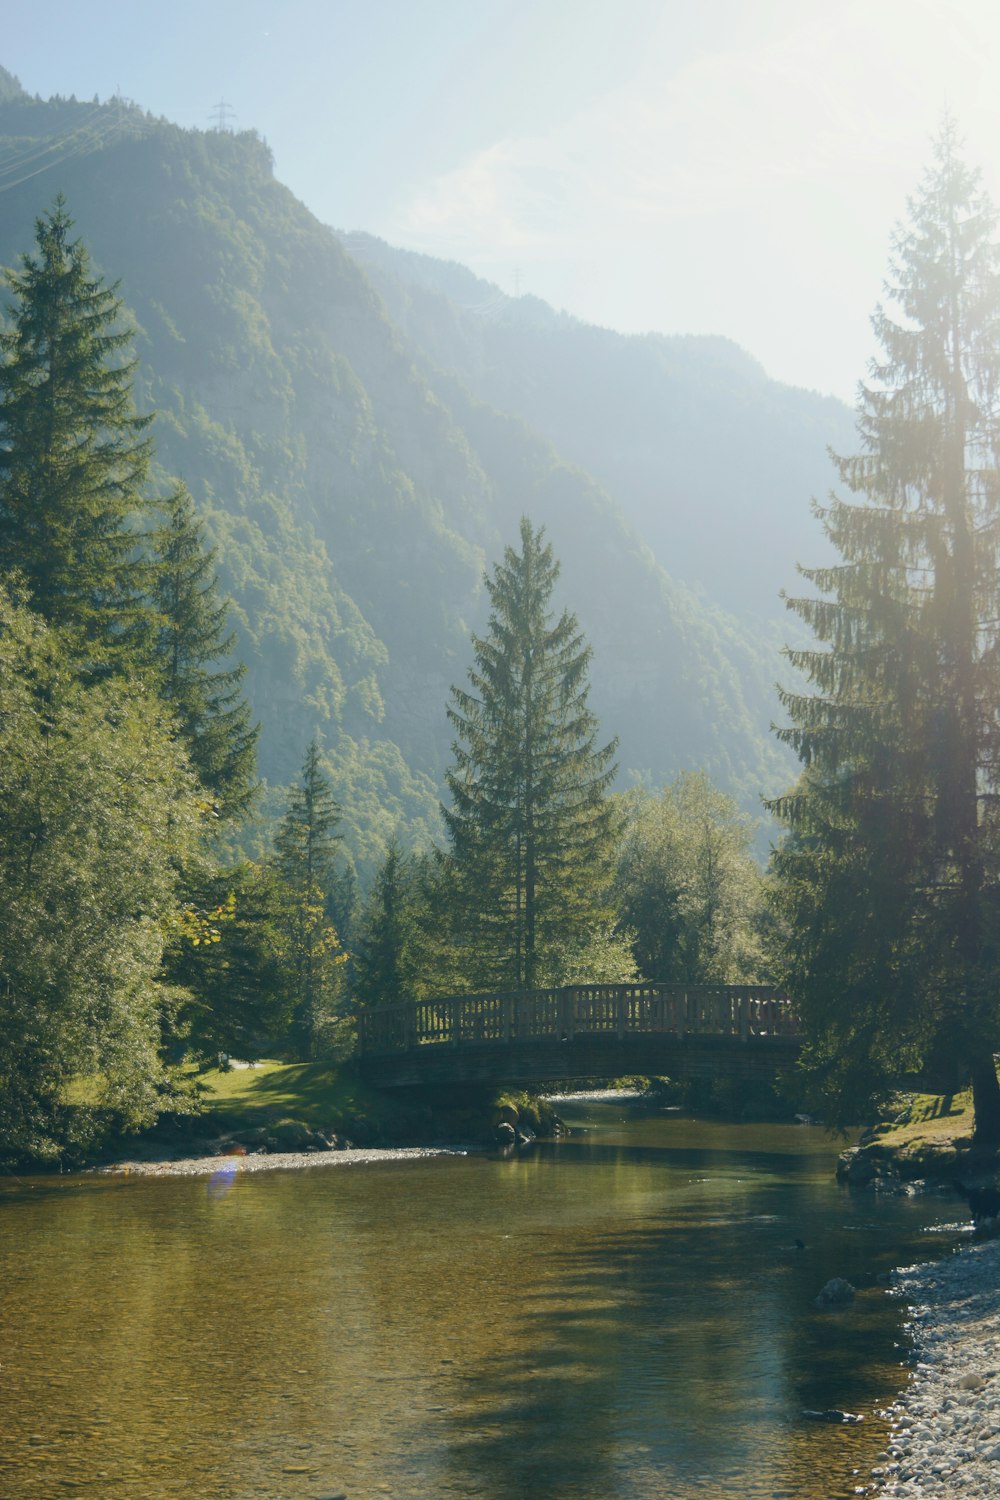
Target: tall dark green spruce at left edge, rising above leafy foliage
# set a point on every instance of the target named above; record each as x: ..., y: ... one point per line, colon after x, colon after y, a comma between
x: 74, y: 455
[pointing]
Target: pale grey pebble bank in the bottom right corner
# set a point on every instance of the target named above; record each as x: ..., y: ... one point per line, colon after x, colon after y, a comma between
x: 947, y: 1426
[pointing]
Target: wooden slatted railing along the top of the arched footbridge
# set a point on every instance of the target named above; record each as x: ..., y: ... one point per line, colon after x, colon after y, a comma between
x: 612, y: 1010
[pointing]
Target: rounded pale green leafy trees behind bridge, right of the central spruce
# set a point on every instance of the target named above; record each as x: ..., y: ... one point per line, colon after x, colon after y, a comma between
x: 689, y: 890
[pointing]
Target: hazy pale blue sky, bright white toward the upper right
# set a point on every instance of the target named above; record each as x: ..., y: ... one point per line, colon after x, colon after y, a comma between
x: 723, y: 167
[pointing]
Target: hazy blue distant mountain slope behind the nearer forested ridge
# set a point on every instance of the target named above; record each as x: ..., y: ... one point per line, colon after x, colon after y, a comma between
x: 711, y: 461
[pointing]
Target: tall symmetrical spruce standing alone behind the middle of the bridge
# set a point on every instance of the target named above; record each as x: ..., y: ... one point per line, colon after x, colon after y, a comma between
x: 530, y: 823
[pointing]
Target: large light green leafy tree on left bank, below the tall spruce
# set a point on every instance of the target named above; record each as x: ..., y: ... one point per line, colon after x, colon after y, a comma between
x: 98, y: 809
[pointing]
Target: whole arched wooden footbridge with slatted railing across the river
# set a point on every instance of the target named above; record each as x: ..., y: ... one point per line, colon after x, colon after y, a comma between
x: 584, y: 1031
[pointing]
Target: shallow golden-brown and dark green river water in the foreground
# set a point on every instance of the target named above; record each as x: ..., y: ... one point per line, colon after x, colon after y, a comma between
x: 623, y: 1313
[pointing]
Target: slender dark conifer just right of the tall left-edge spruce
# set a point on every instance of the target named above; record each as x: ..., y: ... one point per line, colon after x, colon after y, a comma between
x: 206, y: 698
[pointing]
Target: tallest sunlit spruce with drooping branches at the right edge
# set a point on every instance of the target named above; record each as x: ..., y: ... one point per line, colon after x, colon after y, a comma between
x: 891, y: 875
